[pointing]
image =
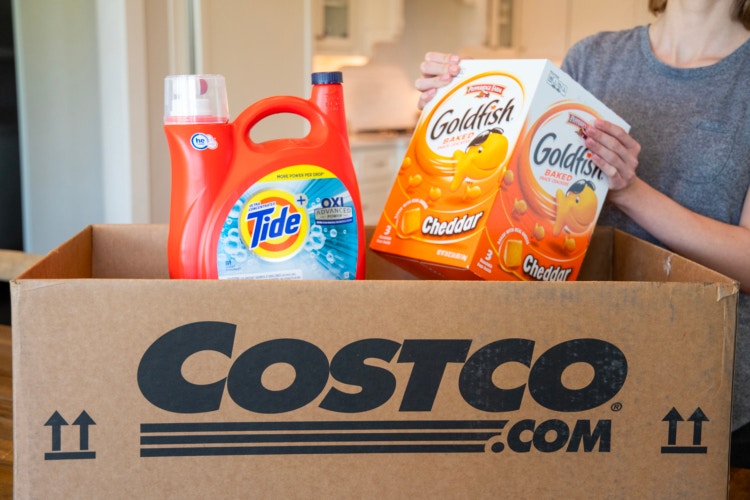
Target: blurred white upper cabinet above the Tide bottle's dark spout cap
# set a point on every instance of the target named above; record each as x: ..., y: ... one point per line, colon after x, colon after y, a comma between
x: 352, y: 27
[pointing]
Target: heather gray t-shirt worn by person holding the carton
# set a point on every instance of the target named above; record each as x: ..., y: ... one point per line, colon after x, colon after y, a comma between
x: 694, y: 129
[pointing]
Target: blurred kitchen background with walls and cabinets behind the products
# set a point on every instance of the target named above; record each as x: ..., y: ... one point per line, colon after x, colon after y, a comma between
x: 81, y: 97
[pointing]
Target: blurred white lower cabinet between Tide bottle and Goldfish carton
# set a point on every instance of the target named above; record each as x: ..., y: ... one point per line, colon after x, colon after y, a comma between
x: 376, y: 162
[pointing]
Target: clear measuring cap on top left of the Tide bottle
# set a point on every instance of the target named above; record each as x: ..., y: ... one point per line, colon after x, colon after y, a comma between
x: 195, y: 99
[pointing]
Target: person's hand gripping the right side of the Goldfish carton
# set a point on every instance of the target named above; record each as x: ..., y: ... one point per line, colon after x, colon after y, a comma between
x: 615, y: 152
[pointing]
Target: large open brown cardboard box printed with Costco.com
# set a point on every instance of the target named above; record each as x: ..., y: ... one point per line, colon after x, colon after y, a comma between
x: 129, y: 385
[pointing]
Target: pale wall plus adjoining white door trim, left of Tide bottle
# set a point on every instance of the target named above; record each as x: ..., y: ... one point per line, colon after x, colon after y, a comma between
x: 81, y: 91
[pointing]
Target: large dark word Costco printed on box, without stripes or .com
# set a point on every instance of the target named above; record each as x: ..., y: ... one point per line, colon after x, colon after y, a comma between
x: 162, y: 383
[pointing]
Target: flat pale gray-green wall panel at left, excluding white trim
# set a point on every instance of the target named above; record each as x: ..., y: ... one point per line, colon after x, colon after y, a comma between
x: 59, y: 119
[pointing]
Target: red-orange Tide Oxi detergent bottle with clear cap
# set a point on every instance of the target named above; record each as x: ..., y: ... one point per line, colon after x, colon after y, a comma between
x: 286, y: 208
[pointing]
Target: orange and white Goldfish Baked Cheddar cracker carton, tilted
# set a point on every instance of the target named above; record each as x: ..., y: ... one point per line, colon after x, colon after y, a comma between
x: 496, y: 182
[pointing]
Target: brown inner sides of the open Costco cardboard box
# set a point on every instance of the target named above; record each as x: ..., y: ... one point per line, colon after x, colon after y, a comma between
x: 120, y: 251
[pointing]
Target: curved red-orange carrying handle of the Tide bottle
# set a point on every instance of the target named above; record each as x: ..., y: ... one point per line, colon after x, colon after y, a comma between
x: 251, y: 116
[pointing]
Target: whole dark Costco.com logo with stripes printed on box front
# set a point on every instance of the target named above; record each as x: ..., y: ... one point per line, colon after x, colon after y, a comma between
x: 373, y: 365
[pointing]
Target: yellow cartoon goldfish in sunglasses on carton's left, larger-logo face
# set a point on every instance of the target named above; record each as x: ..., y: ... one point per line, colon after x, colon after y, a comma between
x: 482, y: 157
